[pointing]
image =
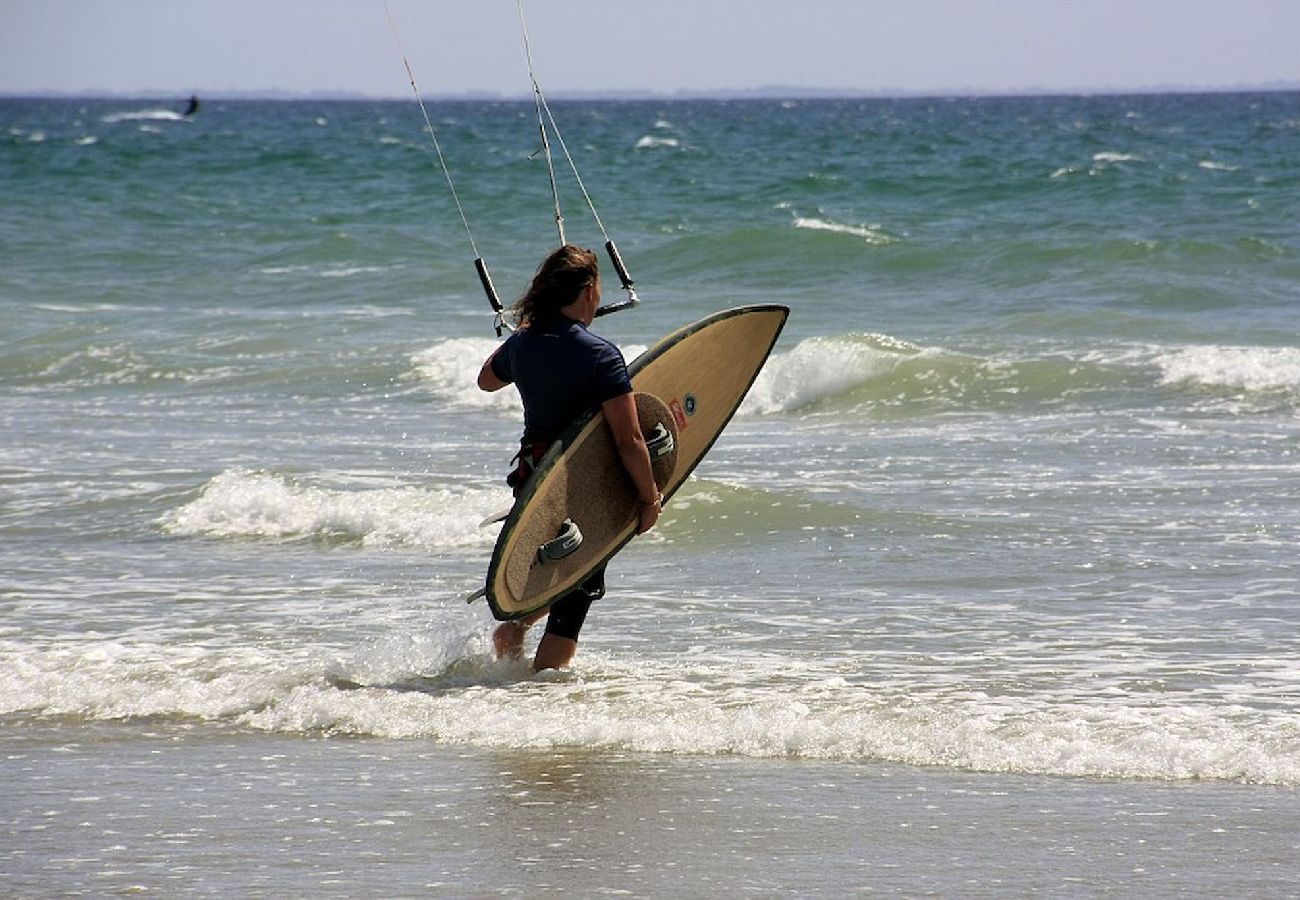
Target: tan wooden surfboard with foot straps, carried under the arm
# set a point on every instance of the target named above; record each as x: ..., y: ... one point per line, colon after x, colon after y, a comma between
x: 691, y: 383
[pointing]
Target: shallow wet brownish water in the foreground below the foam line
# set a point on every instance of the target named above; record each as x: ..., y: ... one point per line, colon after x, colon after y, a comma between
x: 157, y: 807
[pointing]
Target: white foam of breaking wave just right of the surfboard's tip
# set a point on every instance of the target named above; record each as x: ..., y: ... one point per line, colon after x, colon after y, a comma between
x: 818, y: 369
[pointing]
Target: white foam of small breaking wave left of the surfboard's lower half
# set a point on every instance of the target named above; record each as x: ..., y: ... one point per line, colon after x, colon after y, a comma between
x: 242, y: 504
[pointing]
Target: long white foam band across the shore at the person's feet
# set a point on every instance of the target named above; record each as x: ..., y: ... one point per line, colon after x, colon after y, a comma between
x: 443, y: 686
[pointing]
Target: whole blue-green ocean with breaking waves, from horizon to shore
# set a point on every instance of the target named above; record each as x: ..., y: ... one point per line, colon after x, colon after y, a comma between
x: 990, y: 589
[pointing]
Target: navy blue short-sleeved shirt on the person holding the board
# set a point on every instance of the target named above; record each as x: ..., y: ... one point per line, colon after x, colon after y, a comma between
x: 562, y: 371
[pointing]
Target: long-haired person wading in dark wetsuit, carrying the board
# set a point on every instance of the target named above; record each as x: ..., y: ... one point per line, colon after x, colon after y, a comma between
x: 561, y: 371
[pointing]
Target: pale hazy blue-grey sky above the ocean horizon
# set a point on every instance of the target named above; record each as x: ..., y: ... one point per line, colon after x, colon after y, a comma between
x: 174, y: 47
